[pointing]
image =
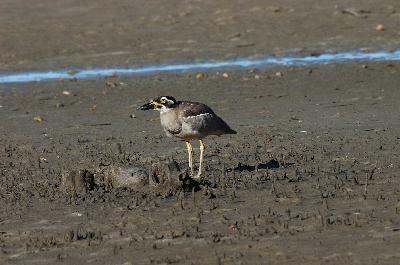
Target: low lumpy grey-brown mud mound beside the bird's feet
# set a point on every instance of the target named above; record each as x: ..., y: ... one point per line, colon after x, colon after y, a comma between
x: 163, y: 179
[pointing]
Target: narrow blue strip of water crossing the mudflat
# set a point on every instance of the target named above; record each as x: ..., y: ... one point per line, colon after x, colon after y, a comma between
x: 241, y: 63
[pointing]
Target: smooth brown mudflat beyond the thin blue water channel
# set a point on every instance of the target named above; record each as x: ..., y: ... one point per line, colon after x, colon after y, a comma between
x: 49, y: 34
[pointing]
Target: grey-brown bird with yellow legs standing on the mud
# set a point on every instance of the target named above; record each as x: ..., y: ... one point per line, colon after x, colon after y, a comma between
x: 188, y: 121
